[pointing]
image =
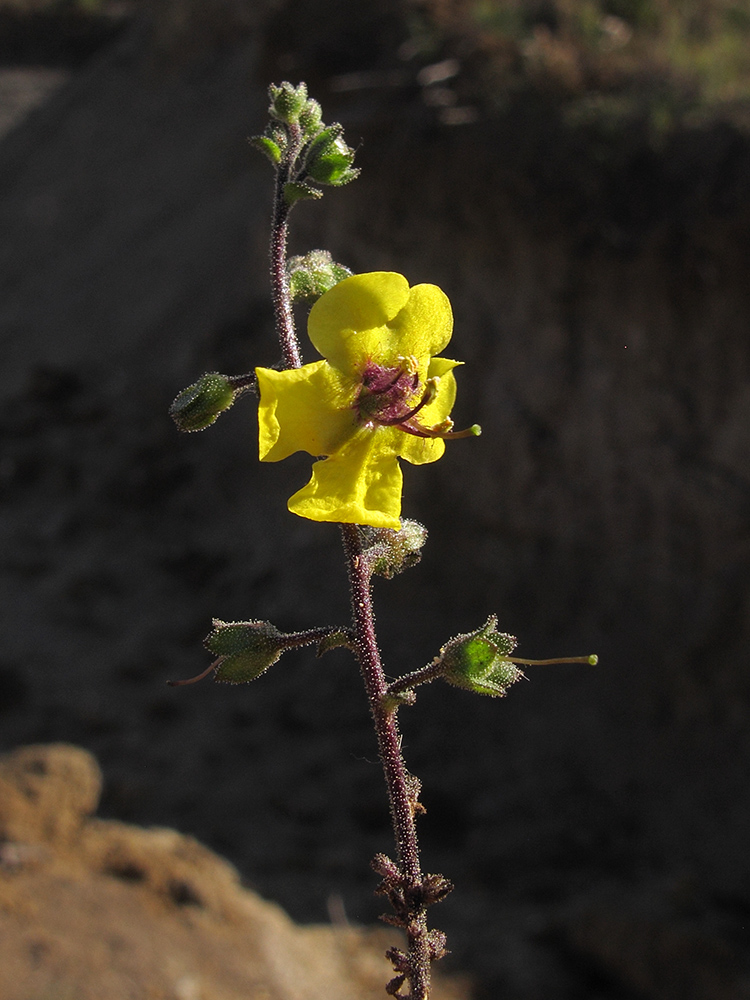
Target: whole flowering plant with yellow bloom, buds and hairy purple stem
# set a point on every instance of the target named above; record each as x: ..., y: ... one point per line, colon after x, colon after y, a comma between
x: 381, y: 392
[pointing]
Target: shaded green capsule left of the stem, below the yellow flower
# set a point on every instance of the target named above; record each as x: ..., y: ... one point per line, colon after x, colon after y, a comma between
x: 247, y: 649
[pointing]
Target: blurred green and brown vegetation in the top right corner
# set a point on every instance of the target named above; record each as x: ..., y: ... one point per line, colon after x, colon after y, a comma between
x: 700, y: 47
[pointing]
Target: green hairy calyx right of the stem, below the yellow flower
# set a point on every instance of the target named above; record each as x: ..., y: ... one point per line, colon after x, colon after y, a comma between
x: 477, y: 661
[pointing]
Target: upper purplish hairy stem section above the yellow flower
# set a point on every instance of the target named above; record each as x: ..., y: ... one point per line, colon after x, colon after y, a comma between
x: 282, y: 300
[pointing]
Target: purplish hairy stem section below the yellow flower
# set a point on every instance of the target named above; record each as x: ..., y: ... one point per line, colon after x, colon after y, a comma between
x: 389, y: 745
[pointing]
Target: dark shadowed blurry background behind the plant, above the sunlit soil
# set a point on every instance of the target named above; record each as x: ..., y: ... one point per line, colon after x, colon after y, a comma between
x: 587, y: 214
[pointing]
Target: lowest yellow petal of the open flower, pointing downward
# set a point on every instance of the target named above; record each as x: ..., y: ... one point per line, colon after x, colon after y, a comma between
x: 361, y: 484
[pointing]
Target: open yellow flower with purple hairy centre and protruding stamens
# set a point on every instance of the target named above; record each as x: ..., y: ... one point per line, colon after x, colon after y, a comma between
x: 379, y: 395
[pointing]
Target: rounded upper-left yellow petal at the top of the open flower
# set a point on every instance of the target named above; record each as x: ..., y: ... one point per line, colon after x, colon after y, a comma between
x: 346, y: 325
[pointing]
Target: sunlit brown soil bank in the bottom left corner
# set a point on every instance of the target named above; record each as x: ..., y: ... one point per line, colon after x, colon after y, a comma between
x: 93, y: 908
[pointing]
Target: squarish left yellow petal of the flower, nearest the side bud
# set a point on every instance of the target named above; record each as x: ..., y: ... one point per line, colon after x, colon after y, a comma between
x: 303, y: 409
